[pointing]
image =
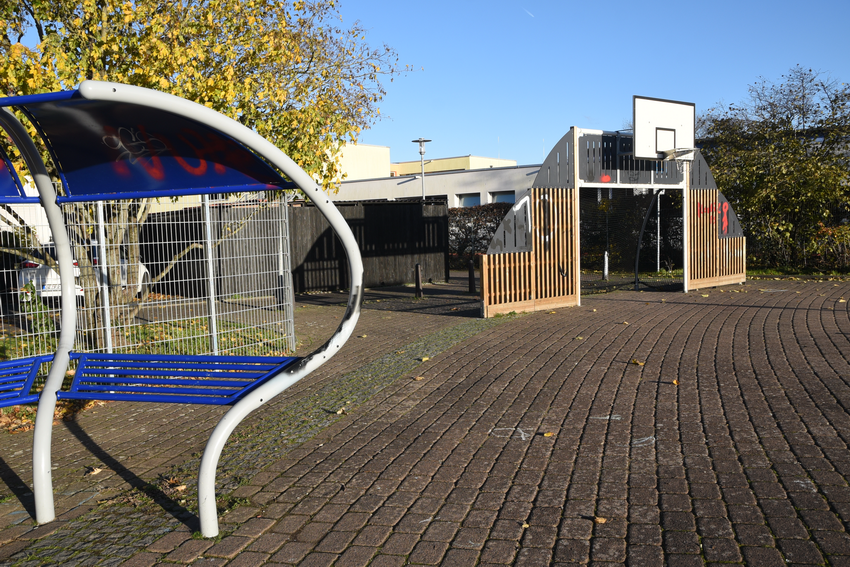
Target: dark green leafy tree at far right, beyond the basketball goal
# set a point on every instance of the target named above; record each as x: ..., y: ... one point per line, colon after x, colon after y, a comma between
x: 782, y: 158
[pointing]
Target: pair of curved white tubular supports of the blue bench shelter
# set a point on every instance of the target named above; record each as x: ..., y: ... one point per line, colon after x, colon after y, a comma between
x: 104, y: 91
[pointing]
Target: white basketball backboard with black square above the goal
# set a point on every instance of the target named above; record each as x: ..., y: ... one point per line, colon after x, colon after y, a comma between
x: 663, y: 126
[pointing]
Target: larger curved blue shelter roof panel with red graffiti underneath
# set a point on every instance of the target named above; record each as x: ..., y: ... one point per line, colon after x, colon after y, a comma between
x: 109, y: 150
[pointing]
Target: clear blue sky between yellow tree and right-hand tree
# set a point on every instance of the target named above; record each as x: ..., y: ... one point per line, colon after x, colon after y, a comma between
x: 509, y: 78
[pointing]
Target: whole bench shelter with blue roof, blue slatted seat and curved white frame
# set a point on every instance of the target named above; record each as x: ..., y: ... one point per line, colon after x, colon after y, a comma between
x: 201, y: 152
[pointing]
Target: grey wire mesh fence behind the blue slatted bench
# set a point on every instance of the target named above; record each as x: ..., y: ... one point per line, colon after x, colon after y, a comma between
x: 190, y: 276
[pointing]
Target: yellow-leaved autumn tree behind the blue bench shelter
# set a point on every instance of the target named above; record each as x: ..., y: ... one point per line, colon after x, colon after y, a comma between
x: 290, y: 70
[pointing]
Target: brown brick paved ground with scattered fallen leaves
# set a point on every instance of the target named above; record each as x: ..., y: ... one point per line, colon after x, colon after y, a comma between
x: 686, y: 429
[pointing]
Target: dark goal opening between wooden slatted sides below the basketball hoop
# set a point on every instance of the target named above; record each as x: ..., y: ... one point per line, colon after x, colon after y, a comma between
x: 610, y: 230
